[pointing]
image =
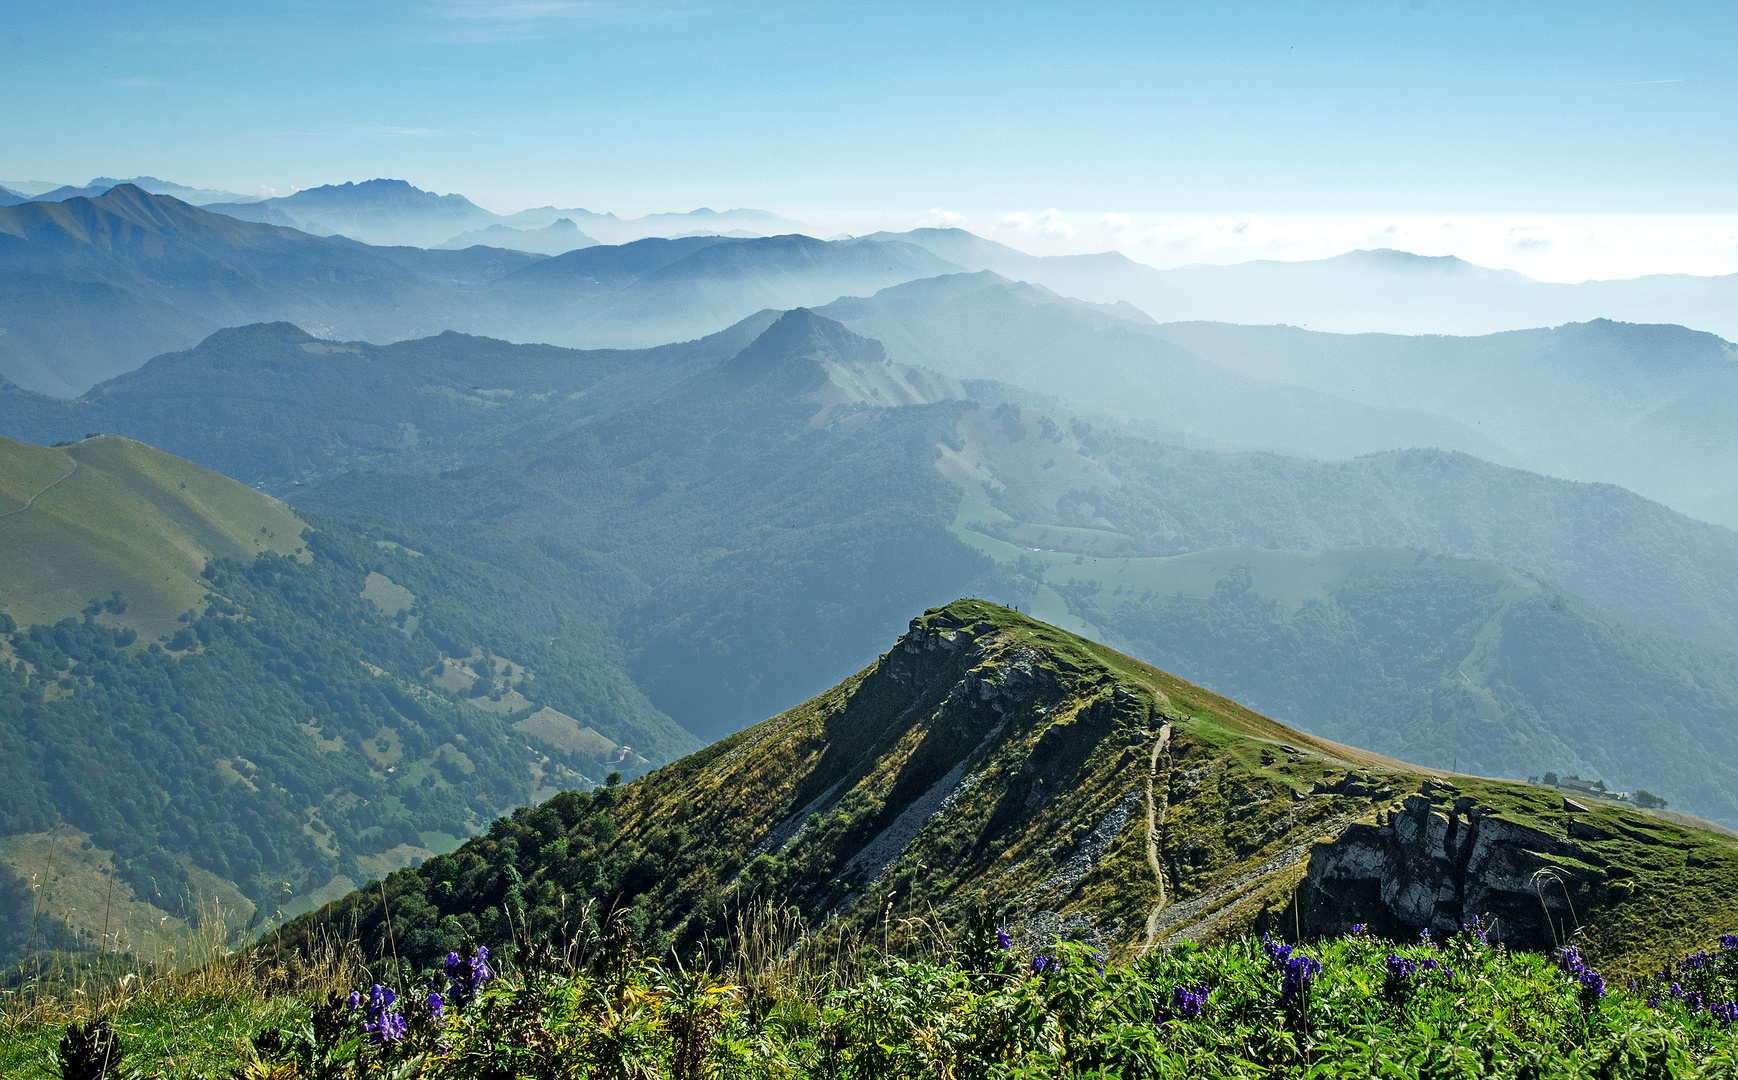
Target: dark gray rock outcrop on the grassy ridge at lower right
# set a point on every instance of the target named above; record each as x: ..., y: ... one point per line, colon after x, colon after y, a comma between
x: 1440, y: 863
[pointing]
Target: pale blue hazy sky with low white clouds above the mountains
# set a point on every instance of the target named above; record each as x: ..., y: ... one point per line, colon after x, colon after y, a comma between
x: 1179, y: 117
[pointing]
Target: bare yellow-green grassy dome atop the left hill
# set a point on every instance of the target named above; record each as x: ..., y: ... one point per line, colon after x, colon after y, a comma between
x: 114, y: 514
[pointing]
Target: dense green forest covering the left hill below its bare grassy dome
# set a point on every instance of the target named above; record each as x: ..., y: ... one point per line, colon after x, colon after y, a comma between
x: 293, y: 726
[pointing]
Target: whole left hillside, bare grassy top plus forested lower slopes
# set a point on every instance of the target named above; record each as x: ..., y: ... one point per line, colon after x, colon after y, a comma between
x: 293, y: 712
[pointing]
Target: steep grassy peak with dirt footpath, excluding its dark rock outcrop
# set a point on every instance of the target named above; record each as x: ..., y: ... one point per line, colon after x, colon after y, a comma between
x: 1042, y: 745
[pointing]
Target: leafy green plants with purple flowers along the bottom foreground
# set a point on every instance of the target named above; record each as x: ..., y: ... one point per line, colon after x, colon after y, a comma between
x: 1350, y: 1008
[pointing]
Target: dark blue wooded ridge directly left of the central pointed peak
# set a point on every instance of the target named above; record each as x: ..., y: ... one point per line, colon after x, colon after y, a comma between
x: 279, y: 408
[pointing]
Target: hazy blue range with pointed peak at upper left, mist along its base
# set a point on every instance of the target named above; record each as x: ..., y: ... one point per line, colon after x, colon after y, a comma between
x: 96, y: 286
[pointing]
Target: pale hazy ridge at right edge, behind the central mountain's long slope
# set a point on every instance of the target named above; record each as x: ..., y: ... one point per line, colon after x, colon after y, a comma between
x: 1640, y: 406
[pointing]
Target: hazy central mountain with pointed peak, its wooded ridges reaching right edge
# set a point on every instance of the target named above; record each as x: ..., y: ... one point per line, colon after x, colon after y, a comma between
x: 802, y: 491
